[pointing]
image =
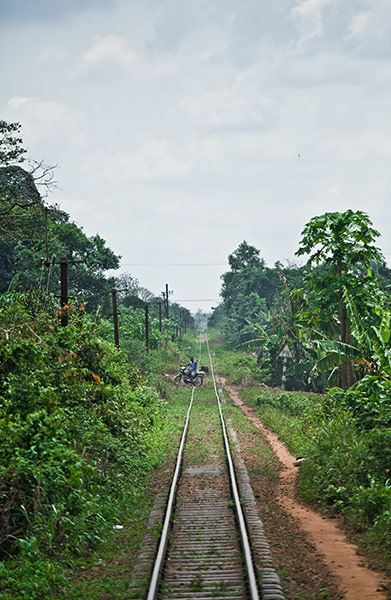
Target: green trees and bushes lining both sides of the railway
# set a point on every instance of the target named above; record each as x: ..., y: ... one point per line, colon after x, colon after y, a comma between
x: 79, y: 417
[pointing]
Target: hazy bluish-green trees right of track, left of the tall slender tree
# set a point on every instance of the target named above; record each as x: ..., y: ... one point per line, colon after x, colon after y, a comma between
x: 257, y: 311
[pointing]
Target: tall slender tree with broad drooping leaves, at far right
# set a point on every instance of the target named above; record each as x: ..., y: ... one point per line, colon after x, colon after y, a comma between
x: 342, y: 244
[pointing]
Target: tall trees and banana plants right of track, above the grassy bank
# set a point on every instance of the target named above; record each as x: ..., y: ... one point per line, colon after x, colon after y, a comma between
x: 332, y: 312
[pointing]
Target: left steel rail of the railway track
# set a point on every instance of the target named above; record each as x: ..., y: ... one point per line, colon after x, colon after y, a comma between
x: 153, y: 586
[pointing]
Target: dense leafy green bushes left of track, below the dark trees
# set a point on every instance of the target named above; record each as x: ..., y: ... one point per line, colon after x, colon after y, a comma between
x: 75, y: 422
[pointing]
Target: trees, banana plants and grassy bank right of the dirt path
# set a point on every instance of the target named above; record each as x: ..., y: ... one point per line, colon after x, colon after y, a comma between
x: 335, y: 315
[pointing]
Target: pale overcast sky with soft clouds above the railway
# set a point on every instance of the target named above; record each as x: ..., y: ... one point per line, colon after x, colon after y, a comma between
x: 183, y: 127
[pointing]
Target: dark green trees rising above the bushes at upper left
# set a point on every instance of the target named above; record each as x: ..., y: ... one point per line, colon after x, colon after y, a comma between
x: 23, y: 243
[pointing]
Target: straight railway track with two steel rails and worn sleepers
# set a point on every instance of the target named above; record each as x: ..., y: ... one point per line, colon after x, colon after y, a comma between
x: 204, y: 549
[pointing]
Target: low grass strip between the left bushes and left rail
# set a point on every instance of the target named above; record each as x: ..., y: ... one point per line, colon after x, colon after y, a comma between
x: 106, y: 573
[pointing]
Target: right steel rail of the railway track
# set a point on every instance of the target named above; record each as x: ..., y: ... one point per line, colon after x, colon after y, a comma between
x: 252, y: 580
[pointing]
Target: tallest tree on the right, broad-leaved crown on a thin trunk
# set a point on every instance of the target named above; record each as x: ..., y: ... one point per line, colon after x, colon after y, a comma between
x: 342, y: 243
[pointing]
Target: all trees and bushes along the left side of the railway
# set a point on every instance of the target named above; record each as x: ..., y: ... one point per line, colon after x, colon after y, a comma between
x: 79, y: 417
